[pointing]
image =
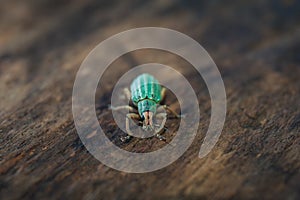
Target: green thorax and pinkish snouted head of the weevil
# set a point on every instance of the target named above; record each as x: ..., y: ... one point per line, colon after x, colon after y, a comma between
x: 147, y: 109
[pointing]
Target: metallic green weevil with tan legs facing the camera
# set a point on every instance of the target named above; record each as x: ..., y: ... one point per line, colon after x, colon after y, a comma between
x: 146, y: 95
